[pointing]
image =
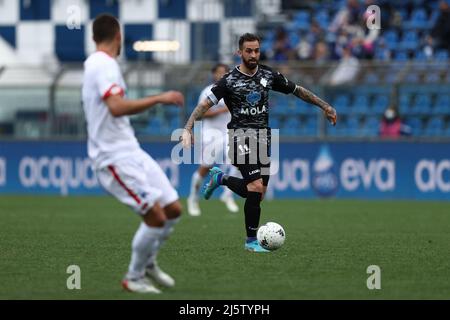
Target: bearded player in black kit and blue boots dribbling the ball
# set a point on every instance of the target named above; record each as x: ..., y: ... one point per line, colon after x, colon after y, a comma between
x: 245, y: 91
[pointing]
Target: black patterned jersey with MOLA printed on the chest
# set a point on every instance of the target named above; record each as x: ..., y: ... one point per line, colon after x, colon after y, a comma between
x: 247, y: 96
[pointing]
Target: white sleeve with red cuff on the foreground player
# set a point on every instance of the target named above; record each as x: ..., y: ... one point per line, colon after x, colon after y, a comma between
x: 107, y: 80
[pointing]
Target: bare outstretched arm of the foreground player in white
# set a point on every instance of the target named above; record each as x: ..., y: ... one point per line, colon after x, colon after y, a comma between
x: 119, y: 106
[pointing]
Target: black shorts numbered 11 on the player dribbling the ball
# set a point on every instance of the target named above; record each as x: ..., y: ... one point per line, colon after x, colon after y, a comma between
x: 251, y: 156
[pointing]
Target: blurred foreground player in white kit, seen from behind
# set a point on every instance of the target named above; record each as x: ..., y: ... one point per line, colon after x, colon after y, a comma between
x: 122, y: 167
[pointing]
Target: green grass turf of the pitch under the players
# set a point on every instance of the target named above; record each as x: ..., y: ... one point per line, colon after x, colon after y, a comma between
x: 328, y: 247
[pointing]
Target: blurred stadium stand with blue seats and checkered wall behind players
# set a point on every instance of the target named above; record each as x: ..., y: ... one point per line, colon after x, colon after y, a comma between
x: 400, y: 65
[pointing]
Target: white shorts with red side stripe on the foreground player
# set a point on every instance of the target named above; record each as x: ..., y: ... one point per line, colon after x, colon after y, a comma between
x: 137, y: 182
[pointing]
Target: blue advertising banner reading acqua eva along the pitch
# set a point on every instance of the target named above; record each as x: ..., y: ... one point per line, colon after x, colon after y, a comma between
x: 366, y: 170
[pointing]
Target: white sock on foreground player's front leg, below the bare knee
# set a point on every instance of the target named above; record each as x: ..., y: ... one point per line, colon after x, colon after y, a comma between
x: 145, y: 243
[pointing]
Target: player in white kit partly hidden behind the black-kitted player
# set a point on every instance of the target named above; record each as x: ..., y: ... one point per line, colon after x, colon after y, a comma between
x: 216, y: 118
